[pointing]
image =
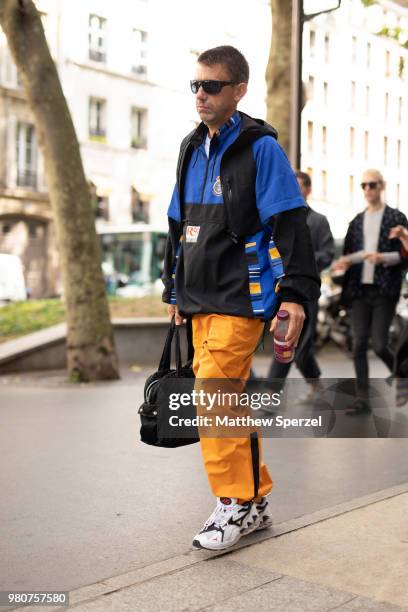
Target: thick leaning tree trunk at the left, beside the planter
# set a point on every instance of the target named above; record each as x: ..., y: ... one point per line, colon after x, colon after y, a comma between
x: 91, y: 353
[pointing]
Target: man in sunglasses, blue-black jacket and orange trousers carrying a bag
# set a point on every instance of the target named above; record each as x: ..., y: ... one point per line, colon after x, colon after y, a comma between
x: 238, y: 244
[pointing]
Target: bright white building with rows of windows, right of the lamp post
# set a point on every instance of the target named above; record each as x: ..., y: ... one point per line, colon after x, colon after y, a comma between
x: 356, y: 112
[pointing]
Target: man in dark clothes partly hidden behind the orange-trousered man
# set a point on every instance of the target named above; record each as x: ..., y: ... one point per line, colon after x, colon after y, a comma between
x: 323, y: 246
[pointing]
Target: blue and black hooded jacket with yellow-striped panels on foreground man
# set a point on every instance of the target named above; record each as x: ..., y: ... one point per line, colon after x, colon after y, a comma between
x: 238, y: 242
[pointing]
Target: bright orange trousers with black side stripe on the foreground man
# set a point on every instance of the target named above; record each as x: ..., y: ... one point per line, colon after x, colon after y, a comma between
x: 224, y: 347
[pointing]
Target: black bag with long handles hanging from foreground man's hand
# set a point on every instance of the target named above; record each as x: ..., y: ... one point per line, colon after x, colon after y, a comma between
x: 156, y: 412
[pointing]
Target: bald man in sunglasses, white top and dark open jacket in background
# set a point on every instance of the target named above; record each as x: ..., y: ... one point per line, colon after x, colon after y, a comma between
x: 372, y: 283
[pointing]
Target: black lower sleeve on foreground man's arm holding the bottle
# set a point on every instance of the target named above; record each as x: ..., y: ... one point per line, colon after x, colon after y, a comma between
x: 301, y: 281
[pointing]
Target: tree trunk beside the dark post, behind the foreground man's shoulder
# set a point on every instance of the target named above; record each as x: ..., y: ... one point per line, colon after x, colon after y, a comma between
x: 278, y: 73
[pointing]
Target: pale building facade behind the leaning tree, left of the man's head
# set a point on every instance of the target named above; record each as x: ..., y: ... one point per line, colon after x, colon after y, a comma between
x: 119, y: 86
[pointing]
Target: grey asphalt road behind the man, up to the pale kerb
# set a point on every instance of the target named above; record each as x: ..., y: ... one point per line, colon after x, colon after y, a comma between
x: 82, y: 499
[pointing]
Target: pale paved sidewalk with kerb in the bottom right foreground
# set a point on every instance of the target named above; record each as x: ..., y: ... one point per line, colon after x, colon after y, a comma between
x: 356, y: 559
